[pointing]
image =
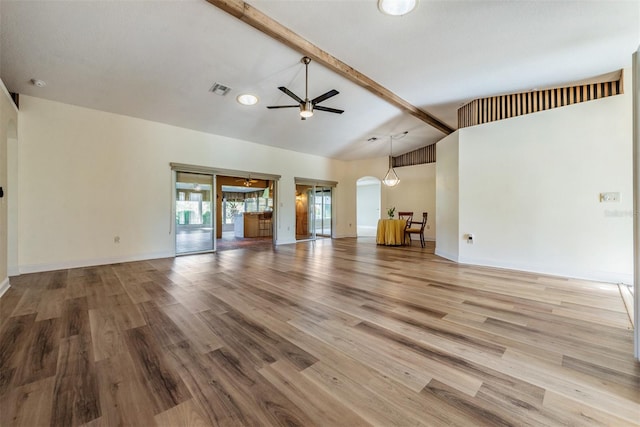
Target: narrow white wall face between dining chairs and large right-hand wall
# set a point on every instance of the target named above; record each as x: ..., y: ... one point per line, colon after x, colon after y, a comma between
x: 447, y: 197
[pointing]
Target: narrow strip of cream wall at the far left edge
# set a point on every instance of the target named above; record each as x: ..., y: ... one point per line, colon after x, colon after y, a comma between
x: 8, y: 135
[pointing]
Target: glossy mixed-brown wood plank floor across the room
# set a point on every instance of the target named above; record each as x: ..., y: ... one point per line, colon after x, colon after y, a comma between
x: 336, y: 333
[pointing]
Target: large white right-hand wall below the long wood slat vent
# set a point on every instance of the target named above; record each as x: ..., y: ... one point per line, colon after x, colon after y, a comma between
x: 529, y: 191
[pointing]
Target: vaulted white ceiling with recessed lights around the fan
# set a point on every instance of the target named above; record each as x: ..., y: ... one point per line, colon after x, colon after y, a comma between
x: 156, y: 60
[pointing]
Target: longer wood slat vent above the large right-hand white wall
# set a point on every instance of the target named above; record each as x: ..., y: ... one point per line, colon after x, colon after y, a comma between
x: 485, y: 110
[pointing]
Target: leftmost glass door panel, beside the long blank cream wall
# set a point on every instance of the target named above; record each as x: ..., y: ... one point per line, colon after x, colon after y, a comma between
x: 194, y: 213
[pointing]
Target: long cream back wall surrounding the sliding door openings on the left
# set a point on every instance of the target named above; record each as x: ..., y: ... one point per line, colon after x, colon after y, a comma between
x: 87, y: 176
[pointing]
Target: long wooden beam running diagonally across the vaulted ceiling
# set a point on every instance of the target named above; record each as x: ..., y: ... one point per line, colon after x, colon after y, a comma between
x: 252, y: 16
